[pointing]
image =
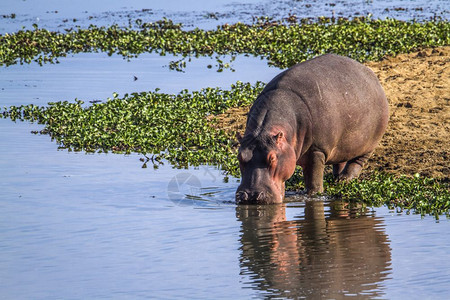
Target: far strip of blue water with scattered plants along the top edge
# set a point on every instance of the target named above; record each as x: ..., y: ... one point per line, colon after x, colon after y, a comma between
x: 56, y: 15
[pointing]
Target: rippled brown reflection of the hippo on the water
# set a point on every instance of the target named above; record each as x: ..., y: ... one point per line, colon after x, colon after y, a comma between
x: 329, y: 252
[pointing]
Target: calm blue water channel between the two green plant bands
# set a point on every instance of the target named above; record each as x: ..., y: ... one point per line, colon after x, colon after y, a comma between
x: 95, y: 76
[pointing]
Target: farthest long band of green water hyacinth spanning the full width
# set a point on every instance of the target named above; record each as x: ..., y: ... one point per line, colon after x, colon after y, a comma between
x: 282, y: 44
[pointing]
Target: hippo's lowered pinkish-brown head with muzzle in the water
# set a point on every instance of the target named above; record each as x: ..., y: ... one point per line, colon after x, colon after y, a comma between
x: 266, y: 162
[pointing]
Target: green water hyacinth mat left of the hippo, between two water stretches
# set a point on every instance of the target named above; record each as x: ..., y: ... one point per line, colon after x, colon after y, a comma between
x: 173, y: 127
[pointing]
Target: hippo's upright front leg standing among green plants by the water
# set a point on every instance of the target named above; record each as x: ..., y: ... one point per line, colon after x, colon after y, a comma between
x: 313, y: 172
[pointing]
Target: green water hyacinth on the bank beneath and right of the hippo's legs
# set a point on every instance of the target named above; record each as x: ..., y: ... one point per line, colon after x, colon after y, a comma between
x: 421, y: 195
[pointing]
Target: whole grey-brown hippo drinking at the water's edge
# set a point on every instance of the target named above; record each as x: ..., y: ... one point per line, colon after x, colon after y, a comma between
x: 327, y: 110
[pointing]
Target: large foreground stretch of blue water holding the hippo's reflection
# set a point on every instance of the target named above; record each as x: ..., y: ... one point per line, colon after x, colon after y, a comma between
x: 100, y: 226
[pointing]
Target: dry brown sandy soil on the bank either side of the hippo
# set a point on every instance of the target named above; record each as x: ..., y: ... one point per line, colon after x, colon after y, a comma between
x: 417, y: 140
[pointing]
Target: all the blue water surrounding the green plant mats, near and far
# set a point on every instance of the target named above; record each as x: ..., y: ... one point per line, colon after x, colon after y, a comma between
x: 75, y: 225
